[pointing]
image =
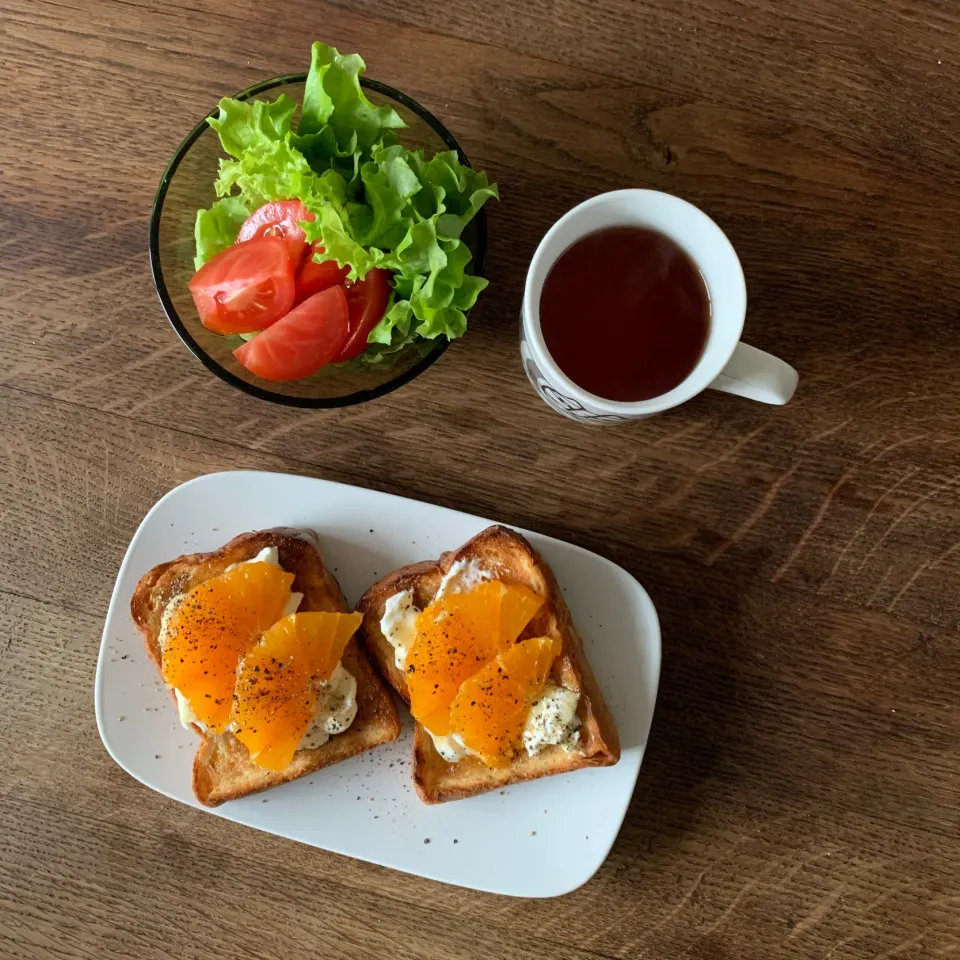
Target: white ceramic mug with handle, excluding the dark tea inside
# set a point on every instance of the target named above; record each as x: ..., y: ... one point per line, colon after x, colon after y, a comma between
x: 725, y: 364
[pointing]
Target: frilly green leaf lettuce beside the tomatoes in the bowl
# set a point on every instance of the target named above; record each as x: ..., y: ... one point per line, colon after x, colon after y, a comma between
x: 375, y: 202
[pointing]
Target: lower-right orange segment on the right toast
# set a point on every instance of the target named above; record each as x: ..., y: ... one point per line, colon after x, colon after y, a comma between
x: 491, y: 708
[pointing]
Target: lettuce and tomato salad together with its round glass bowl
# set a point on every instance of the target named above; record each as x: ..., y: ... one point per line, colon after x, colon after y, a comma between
x: 335, y: 250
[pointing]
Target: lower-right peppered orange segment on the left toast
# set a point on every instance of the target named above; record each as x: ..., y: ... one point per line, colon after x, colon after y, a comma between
x: 276, y: 693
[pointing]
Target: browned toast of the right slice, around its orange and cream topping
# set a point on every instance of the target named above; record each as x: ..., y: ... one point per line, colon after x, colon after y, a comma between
x: 507, y: 556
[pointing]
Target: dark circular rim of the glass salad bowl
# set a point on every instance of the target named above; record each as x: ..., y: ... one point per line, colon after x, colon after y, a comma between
x: 358, y: 396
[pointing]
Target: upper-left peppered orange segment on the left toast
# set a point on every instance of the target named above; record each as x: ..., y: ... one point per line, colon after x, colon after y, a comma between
x: 214, y: 625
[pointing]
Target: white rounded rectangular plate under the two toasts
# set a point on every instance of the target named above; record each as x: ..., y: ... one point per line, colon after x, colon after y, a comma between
x: 537, y: 839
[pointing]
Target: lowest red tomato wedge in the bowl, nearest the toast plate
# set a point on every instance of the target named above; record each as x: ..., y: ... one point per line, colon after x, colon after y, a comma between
x: 303, y: 341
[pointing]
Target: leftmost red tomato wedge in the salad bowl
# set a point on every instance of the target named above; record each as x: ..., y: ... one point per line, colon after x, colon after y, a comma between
x: 244, y: 288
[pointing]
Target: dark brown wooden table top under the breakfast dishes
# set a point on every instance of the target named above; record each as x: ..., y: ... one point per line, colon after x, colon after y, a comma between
x: 799, y: 797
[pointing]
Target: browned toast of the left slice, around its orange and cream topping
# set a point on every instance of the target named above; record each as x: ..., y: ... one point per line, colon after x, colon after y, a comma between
x: 222, y: 768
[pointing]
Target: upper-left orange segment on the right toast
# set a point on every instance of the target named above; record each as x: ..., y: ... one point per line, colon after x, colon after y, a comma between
x: 456, y: 636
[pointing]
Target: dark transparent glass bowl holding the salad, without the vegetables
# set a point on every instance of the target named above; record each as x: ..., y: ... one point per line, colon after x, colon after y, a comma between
x: 187, y: 186
